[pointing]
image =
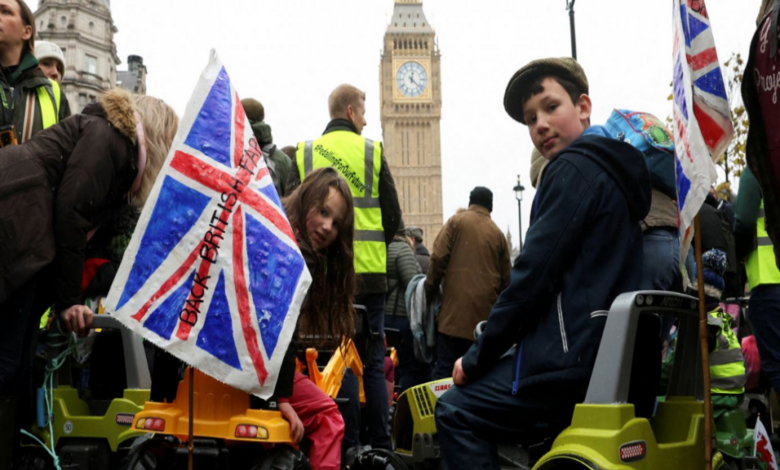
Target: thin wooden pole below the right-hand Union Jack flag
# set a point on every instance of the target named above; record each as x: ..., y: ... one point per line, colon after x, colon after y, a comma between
x: 705, y: 353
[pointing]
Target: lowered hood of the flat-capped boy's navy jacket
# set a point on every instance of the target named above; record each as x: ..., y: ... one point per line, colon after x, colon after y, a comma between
x: 624, y: 162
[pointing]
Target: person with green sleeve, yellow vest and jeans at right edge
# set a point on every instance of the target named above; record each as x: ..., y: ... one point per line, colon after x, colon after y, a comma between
x: 756, y: 249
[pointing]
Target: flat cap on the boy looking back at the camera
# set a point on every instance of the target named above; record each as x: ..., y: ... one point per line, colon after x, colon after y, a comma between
x: 563, y: 67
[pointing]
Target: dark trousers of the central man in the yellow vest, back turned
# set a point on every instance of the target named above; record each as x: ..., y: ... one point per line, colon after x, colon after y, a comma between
x: 377, y: 401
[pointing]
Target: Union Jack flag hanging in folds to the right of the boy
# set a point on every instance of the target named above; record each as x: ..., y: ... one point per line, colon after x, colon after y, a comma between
x: 702, y: 124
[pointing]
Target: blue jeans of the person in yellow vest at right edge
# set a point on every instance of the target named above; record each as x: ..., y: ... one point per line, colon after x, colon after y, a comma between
x: 764, y: 314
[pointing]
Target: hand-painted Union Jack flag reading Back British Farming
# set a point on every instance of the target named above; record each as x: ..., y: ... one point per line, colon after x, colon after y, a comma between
x: 213, y: 273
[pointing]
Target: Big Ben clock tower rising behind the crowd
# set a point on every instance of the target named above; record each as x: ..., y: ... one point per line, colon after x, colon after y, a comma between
x: 410, y: 80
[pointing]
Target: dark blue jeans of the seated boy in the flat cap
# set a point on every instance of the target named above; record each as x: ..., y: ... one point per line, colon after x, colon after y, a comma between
x: 472, y: 418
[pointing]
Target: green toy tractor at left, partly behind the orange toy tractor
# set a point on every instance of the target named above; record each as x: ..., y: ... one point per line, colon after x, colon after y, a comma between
x: 90, y: 433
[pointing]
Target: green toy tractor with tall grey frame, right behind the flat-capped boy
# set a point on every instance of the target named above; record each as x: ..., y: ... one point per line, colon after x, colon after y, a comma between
x: 605, y: 432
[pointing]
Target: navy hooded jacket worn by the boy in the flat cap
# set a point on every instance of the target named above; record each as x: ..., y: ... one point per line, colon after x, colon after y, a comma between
x: 583, y: 249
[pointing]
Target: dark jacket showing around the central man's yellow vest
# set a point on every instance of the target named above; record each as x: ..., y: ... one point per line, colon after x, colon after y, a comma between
x: 388, y: 203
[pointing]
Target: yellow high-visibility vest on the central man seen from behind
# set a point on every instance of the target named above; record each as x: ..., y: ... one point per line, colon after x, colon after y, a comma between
x: 359, y: 161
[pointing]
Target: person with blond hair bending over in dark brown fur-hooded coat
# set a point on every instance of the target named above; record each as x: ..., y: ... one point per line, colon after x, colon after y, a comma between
x: 55, y: 191
